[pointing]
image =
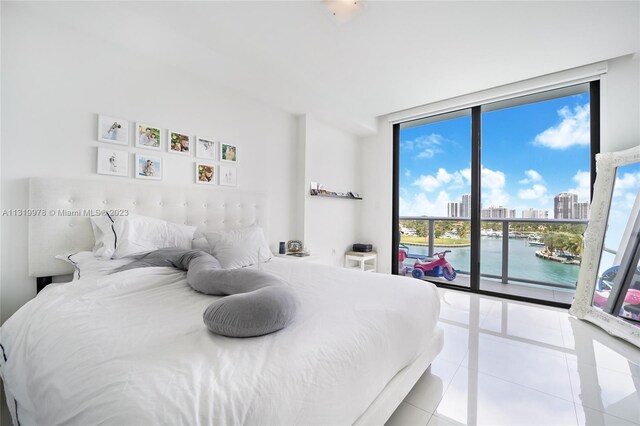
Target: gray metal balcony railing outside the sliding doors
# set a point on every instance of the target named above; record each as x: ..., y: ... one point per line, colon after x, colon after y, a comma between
x: 504, y: 277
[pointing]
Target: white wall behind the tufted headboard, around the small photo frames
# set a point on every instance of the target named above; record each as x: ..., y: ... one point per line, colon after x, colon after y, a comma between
x: 54, y: 82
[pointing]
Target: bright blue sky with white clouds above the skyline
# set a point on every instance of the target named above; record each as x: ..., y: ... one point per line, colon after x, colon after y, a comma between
x: 530, y: 153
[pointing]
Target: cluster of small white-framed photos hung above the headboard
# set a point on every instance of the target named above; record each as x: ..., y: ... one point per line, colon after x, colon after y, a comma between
x: 215, y: 161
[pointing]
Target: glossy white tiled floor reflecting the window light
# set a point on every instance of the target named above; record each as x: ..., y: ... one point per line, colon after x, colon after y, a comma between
x: 512, y: 363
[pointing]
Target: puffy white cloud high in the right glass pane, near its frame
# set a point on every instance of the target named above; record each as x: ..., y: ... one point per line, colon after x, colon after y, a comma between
x: 572, y: 130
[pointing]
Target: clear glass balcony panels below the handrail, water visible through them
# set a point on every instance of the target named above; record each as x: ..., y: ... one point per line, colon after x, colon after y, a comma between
x: 528, y: 273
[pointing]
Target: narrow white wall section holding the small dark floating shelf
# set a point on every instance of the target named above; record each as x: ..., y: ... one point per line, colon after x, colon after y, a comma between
x: 331, y: 157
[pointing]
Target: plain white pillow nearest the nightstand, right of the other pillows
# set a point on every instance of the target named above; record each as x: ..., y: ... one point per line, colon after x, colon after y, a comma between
x: 238, y: 248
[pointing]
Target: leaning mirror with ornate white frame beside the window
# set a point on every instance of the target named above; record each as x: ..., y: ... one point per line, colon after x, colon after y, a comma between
x: 608, y: 290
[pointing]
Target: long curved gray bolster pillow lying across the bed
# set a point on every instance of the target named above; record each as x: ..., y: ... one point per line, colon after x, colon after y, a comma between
x: 256, y: 303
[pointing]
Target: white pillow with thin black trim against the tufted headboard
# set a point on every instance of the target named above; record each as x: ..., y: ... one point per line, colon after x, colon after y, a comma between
x: 121, y: 236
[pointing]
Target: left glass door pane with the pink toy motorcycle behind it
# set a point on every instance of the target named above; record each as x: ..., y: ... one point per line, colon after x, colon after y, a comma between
x: 434, y: 198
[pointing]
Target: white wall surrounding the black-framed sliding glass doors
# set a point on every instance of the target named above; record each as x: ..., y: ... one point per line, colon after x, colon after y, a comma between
x: 620, y: 129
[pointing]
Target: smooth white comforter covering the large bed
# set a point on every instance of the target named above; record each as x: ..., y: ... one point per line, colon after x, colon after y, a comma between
x: 131, y: 348
